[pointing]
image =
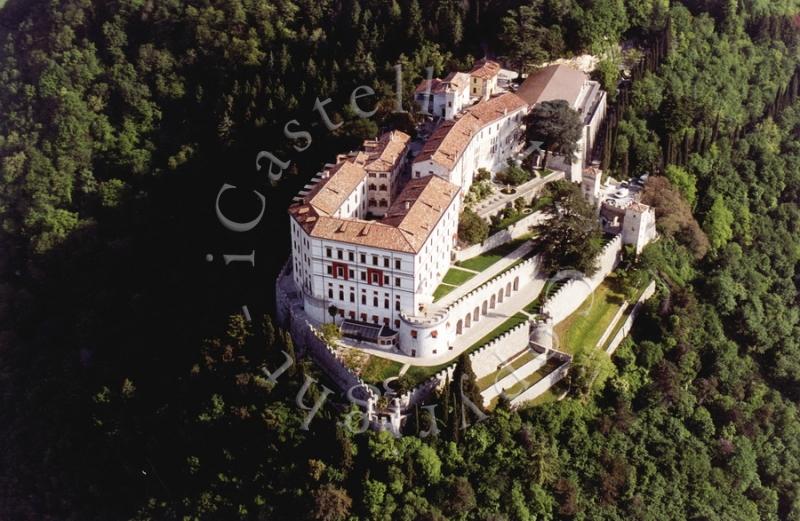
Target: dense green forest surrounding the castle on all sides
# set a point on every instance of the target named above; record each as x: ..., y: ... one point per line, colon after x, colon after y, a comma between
x: 132, y: 388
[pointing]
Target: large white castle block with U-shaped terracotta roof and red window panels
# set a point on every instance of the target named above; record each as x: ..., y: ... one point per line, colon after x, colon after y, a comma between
x: 369, y: 271
